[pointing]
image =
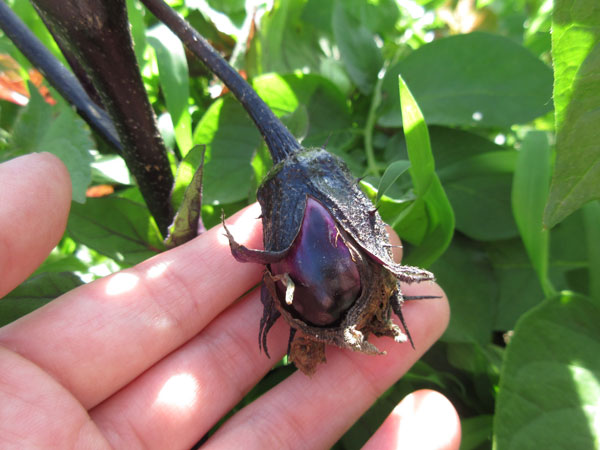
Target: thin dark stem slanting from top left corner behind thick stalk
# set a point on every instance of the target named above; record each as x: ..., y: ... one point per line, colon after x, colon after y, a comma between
x: 57, y: 75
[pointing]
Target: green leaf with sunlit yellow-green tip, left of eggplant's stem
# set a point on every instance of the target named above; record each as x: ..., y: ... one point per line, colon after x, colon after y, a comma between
x: 231, y: 139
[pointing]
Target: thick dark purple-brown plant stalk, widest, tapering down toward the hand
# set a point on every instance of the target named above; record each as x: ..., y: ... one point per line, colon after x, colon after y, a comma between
x: 97, y: 33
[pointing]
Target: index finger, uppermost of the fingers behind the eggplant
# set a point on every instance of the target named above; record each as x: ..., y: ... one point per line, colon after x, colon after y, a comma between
x: 97, y: 338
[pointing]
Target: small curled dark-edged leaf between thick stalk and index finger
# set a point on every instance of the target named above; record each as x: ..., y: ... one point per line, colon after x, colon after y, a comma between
x: 188, y: 220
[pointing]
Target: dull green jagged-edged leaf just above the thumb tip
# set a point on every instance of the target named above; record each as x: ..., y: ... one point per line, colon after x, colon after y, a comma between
x: 55, y: 129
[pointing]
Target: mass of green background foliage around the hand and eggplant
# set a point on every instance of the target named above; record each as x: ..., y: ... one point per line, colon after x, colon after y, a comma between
x: 498, y: 194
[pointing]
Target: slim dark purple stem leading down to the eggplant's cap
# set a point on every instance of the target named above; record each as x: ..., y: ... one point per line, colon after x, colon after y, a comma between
x: 280, y: 141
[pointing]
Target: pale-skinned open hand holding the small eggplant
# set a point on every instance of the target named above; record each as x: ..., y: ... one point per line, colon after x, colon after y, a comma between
x: 154, y: 356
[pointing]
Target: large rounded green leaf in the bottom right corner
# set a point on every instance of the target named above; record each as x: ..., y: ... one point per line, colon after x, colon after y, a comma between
x: 549, y: 385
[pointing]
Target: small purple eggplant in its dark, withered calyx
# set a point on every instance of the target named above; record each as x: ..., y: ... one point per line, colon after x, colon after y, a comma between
x: 314, y: 176
